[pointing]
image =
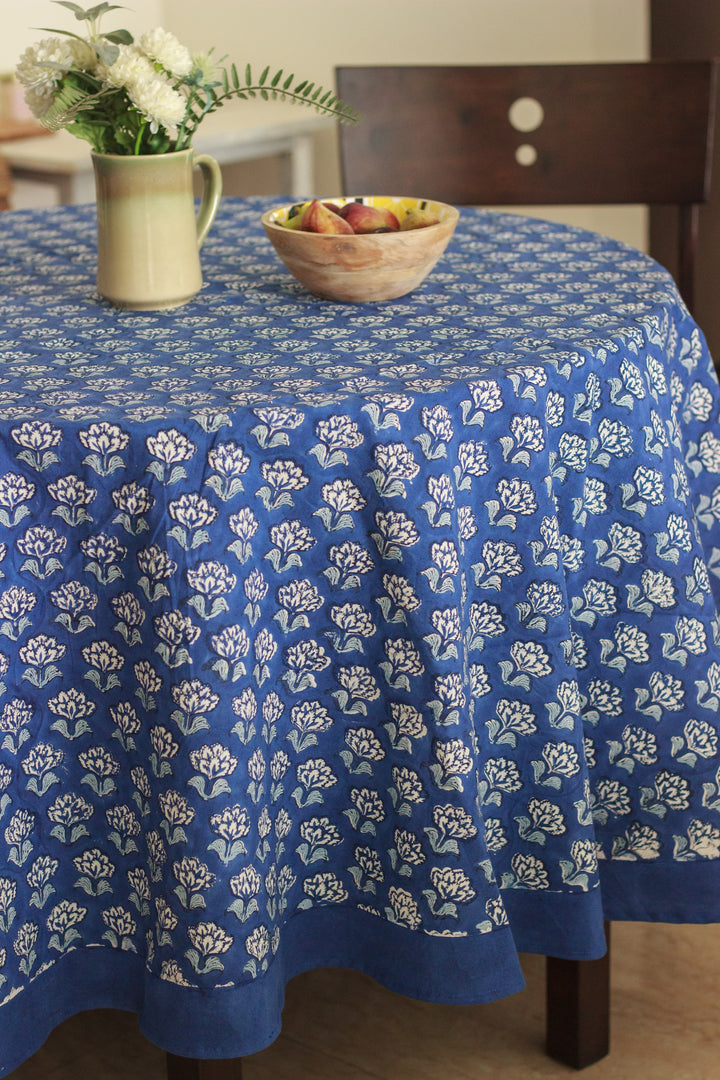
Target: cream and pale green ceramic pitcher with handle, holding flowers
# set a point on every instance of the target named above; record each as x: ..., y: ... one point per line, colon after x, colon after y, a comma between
x: 148, y: 235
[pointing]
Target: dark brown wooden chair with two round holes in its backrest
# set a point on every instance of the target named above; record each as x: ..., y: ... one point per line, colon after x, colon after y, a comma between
x: 537, y: 136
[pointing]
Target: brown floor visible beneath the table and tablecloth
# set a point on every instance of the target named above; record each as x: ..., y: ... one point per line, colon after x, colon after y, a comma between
x: 339, y: 1025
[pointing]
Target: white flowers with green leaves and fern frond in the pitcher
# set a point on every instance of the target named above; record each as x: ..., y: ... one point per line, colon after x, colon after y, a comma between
x: 142, y: 98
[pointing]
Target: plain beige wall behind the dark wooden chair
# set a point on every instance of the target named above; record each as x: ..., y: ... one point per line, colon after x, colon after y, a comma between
x: 310, y: 39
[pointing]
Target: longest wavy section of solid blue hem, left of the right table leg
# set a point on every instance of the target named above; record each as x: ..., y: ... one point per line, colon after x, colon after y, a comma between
x: 238, y: 1021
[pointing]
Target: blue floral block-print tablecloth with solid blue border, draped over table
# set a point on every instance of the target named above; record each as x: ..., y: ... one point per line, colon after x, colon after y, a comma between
x: 384, y: 637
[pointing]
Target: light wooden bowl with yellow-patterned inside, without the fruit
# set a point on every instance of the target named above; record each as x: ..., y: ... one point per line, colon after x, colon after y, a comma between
x: 369, y: 267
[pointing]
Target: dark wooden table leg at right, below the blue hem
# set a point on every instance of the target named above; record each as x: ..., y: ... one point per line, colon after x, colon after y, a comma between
x: 578, y: 1020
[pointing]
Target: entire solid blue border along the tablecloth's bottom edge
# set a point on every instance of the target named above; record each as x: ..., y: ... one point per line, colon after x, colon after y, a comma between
x: 235, y: 1022
